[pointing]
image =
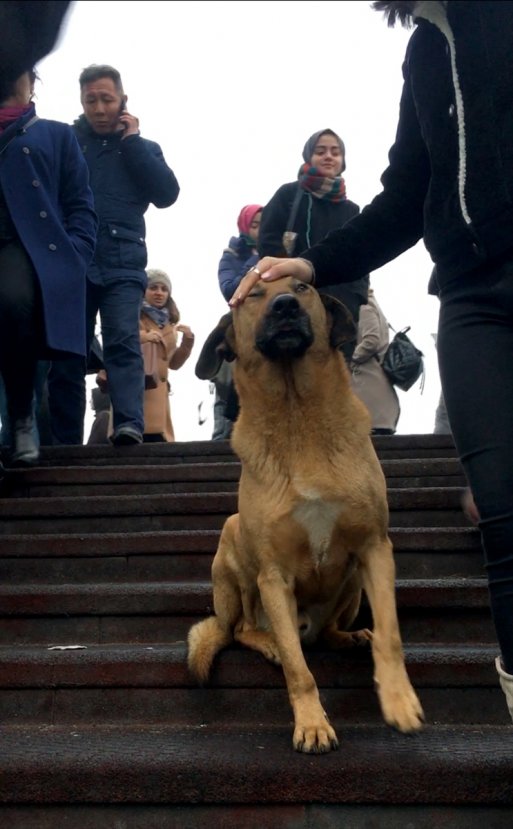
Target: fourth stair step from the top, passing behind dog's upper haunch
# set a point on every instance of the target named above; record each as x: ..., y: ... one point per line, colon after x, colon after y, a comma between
x: 187, y: 554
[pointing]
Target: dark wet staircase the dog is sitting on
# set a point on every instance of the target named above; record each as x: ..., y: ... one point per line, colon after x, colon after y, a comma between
x: 105, y: 561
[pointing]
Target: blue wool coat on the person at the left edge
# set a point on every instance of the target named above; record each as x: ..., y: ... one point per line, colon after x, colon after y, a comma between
x: 45, y: 183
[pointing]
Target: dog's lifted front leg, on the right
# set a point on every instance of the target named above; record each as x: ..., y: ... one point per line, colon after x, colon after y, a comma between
x: 399, y: 703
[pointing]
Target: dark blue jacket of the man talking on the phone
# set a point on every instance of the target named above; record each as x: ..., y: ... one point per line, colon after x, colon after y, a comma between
x: 126, y: 176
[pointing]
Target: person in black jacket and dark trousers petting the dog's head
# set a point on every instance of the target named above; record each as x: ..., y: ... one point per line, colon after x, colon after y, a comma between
x: 450, y: 181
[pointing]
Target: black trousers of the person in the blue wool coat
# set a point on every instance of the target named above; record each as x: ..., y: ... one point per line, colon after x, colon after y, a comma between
x: 21, y: 327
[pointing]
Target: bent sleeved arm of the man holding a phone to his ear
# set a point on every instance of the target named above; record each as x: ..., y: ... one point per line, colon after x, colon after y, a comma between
x: 149, y: 171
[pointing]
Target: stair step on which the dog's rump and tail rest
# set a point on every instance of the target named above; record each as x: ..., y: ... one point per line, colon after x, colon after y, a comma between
x: 140, y: 684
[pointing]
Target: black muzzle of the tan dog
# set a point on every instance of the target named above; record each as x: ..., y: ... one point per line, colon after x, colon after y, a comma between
x: 285, y: 330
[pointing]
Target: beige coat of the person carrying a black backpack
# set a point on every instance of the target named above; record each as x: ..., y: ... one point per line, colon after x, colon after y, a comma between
x: 369, y: 380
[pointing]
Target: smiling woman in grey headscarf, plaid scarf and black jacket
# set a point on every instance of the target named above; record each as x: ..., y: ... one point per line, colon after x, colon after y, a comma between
x: 302, y: 212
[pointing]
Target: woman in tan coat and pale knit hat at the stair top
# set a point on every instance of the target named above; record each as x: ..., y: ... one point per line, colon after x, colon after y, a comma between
x: 159, y: 324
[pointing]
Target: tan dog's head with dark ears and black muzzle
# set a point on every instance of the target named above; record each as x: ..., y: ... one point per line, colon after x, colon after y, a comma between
x: 280, y: 320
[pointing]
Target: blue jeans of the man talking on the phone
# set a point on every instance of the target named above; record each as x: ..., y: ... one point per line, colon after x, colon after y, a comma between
x: 119, y: 304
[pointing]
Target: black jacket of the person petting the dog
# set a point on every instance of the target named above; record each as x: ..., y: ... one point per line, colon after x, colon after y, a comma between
x: 450, y: 176
